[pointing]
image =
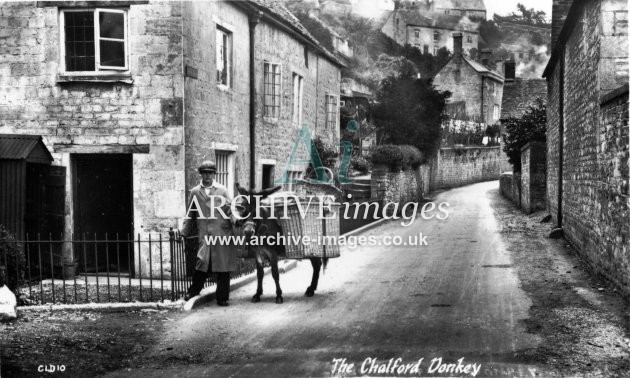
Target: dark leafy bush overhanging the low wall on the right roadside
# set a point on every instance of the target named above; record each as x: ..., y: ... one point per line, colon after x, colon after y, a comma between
x: 531, y: 127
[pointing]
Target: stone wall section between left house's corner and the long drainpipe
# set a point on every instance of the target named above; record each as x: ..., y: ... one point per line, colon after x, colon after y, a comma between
x: 217, y: 117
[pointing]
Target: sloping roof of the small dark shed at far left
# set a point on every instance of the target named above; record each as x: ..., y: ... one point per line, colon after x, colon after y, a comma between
x: 24, y: 147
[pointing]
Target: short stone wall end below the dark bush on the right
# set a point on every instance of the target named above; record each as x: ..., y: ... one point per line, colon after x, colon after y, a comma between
x: 533, y: 179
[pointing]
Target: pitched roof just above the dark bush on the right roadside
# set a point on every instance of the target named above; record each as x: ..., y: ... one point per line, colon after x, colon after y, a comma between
x: 520, y: 94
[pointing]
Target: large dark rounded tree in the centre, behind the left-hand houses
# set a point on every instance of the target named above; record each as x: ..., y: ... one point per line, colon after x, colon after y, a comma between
x: 410, y: 111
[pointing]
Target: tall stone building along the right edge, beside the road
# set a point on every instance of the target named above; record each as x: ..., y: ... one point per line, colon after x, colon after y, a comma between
x: 587, y: 132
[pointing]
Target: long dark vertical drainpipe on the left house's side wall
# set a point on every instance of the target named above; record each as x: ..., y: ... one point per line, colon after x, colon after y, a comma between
x: 254, y: 19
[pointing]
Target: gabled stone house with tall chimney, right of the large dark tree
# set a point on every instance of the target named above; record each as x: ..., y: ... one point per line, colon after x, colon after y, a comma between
x: 476, y: 89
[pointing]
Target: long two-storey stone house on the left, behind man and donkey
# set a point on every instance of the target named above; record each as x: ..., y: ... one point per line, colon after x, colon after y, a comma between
x: 129, y: 96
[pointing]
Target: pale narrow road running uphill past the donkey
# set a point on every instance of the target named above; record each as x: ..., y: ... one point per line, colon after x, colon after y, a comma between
x: 458, y: 297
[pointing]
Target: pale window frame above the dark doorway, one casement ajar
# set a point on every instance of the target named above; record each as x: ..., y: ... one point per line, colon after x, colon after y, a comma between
x: 98, y: 69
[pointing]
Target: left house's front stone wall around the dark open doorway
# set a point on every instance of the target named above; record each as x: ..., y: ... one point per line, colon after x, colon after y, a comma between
x: 142, y: 108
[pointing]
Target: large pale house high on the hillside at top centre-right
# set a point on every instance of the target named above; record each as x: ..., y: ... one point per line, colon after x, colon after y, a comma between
x: 429, y: 33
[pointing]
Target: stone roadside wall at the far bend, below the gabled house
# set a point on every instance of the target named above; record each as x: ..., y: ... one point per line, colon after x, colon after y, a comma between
x: 461, y: 166
